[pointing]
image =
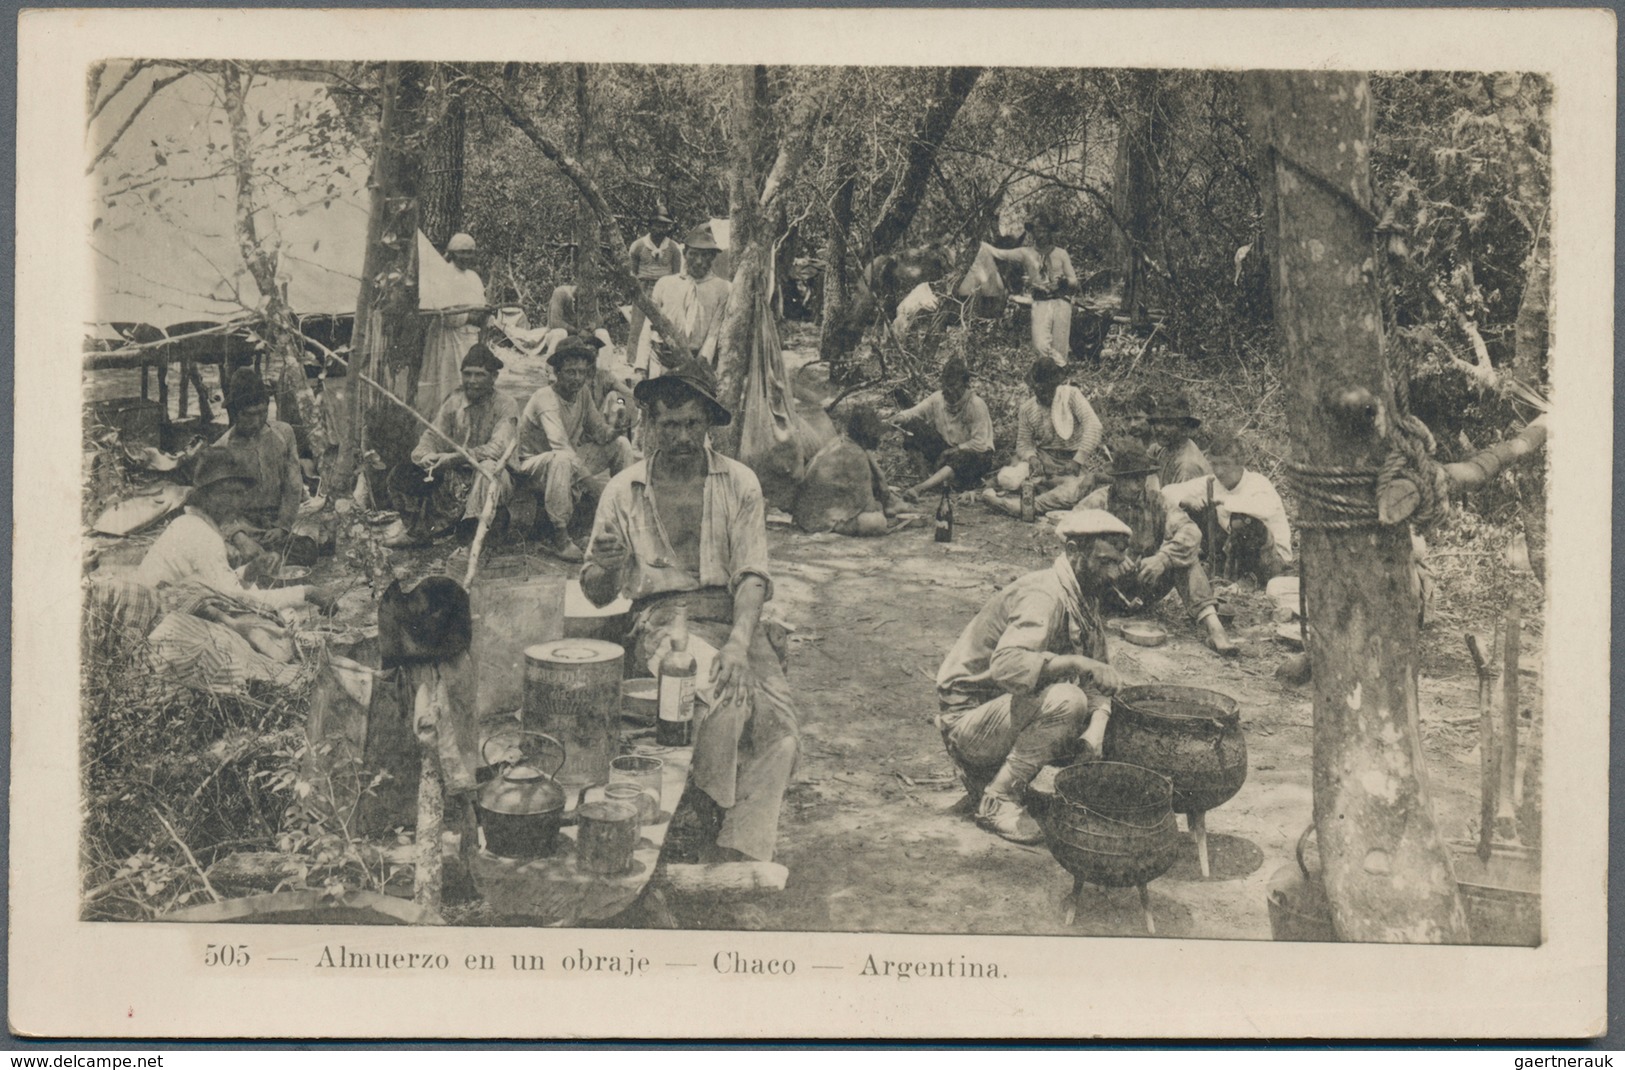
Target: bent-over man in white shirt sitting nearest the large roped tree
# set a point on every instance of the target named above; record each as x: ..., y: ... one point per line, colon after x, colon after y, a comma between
x: 1255, y: 537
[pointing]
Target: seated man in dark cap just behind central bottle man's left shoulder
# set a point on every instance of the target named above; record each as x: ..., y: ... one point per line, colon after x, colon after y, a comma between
x: 566, y: 450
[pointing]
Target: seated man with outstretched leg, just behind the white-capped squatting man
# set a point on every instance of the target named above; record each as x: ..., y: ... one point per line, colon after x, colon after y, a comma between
x: 1164, y: 549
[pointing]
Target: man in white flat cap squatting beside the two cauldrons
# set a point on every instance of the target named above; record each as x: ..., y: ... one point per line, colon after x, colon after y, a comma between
x: 1028, y: 682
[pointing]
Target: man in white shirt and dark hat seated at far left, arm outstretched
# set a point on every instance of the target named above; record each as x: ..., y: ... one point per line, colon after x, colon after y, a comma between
x: 194, y: 550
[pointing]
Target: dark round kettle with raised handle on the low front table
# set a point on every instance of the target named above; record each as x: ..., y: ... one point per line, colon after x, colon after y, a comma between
x: 522, y: 807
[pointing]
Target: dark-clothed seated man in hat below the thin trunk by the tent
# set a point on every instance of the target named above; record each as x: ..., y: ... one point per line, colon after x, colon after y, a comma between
x: 269, y: 453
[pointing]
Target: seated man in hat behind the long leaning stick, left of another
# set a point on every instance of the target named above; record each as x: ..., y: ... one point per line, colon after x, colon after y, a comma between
x: 440, y: 489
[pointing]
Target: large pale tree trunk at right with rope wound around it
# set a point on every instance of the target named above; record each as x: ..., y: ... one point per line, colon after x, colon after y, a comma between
x: 1387, y: 869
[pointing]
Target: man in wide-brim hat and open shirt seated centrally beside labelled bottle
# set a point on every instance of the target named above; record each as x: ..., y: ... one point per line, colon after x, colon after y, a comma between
x: 687, y: 529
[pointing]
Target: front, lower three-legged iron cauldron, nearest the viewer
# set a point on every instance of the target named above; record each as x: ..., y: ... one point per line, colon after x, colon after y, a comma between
x: 1112, y: 825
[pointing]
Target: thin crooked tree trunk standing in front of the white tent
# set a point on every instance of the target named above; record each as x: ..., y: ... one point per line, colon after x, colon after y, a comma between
x: 284, y: 337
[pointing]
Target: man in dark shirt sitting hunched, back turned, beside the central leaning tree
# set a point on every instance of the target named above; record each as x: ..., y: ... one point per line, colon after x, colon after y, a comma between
x: 844, y: 490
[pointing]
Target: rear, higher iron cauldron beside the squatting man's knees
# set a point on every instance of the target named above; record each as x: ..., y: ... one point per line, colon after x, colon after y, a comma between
x: 1190, y: 736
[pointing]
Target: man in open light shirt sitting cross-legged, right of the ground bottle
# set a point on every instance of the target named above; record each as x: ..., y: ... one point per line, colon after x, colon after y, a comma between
x: 1057, y: 435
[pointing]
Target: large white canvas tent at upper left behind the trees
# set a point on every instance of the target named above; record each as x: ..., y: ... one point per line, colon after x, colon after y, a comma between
x: 165, y: 199
